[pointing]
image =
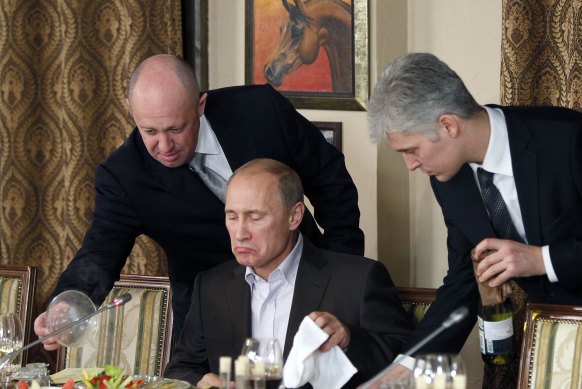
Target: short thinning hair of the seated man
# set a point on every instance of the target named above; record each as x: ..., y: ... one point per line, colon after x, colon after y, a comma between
x: 290, y: 187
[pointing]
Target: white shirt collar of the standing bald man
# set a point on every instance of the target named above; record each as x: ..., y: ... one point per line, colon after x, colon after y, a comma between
x: 208, y: 144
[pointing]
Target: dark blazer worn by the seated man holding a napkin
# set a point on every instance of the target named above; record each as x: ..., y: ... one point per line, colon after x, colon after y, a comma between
x: 357, y: 290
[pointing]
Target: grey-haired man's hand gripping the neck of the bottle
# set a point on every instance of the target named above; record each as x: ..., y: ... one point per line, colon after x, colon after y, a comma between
x: 509, y: 259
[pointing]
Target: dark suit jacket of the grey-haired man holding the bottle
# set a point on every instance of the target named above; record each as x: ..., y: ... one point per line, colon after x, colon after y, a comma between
x: 546, y: 153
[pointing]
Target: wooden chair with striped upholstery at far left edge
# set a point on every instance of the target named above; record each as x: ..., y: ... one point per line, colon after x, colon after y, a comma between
x: 17, y: 290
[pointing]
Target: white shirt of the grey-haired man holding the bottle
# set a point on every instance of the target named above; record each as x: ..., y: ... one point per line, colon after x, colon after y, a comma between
x: 498, y: 161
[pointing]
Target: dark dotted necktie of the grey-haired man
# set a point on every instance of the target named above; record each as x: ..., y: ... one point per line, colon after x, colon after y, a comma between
x: 498, y: 213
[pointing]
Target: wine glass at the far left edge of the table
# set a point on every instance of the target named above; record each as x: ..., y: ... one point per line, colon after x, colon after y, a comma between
x: 10, y: 339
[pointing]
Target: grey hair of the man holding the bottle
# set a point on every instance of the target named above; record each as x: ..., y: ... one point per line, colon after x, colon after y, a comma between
x: 413, y: 92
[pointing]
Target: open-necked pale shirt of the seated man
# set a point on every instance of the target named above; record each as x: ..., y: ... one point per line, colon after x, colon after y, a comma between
x: 271, y: 299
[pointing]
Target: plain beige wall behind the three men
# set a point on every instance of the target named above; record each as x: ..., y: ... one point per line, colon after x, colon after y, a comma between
x: 396, y: 206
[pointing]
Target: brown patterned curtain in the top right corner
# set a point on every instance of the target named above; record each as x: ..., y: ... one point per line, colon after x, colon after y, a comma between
x: 542, y: 53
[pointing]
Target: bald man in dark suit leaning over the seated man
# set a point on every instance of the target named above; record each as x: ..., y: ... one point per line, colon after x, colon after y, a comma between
x: 148, y: 185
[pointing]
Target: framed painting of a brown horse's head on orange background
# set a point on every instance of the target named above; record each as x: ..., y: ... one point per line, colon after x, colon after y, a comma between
x: 314, y: 52
